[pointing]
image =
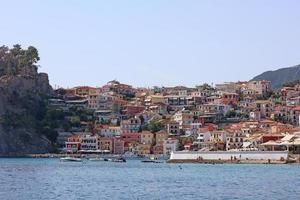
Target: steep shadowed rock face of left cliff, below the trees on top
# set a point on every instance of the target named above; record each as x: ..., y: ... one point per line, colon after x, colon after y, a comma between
x: 21, y: 99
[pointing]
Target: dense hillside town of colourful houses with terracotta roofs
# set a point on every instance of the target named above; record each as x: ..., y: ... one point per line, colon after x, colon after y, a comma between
x: 120, y: 119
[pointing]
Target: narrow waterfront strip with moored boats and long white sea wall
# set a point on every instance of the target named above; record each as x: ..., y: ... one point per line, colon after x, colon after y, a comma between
x: 196, y: 157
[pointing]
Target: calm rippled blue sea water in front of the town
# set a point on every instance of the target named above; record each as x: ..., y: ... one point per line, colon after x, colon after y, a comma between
x: 32, y: 179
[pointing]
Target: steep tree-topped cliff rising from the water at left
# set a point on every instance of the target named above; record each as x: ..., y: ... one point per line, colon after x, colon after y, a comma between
x: 23, y: 93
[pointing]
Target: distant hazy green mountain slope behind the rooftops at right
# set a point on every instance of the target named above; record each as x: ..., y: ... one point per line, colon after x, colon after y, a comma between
x: 280, y: 76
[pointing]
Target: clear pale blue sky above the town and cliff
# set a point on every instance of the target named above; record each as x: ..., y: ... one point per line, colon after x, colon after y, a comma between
x: 154, y: 43
